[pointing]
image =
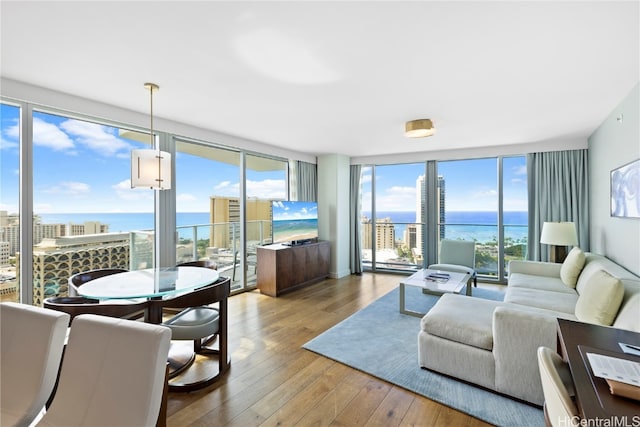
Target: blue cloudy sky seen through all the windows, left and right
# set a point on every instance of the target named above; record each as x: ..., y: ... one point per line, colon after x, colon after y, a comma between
x: 85, y: 167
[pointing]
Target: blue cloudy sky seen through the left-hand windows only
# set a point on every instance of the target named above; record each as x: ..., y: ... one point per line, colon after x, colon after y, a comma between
x: 85, y: 167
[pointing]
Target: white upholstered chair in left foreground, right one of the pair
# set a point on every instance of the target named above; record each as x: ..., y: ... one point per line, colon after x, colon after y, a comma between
x: 113, y: 373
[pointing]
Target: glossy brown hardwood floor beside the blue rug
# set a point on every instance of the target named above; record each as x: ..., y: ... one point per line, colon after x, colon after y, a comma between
x: 275, y: 382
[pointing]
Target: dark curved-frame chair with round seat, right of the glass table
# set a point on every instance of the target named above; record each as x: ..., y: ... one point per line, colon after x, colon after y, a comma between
x: 202, y: 324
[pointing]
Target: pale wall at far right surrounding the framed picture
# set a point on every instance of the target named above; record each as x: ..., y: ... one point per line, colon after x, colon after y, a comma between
x: 614, y: 144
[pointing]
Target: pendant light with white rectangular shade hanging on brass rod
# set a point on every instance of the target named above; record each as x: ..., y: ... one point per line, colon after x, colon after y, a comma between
x: 151, y: 168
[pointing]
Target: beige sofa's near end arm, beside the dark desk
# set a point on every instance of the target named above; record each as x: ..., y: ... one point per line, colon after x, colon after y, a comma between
x: 517, y: 334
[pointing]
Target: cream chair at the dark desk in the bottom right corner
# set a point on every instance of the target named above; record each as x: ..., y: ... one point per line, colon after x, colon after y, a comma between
x: 557, y: 387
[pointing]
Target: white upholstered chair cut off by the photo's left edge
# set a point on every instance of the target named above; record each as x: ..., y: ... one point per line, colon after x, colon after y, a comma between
x: 31, y: 346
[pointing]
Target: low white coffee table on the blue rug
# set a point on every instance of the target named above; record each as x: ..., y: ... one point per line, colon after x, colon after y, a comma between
x: 430, y: 283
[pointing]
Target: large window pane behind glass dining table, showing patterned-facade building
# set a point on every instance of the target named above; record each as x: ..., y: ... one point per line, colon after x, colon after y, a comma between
x: 86, y: 215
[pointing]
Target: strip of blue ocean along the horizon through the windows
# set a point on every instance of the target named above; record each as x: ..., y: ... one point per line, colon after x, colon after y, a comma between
x: 464, y: 225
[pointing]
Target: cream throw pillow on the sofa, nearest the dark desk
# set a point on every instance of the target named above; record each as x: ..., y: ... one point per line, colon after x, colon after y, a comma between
x: 600, y: 299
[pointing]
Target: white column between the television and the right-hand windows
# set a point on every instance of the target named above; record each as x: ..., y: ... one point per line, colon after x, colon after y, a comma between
x: 333, y: 210
